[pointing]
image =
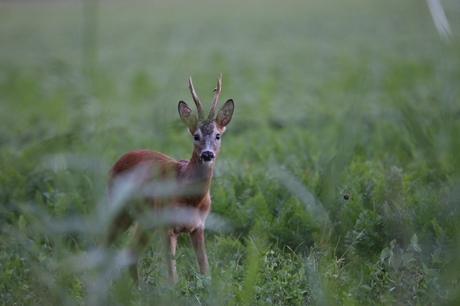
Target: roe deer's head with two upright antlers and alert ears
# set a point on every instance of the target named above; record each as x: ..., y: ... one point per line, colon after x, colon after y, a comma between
x: 206, y: 132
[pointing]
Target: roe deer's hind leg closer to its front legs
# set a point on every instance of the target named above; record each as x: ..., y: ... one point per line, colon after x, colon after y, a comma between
x: 139, y: 240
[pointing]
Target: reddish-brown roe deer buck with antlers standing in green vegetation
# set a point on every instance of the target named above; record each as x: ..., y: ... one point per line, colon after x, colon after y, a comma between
x: 174, y: 194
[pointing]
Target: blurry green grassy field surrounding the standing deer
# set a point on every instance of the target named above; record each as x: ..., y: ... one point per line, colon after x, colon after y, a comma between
x: 335, y: 100
